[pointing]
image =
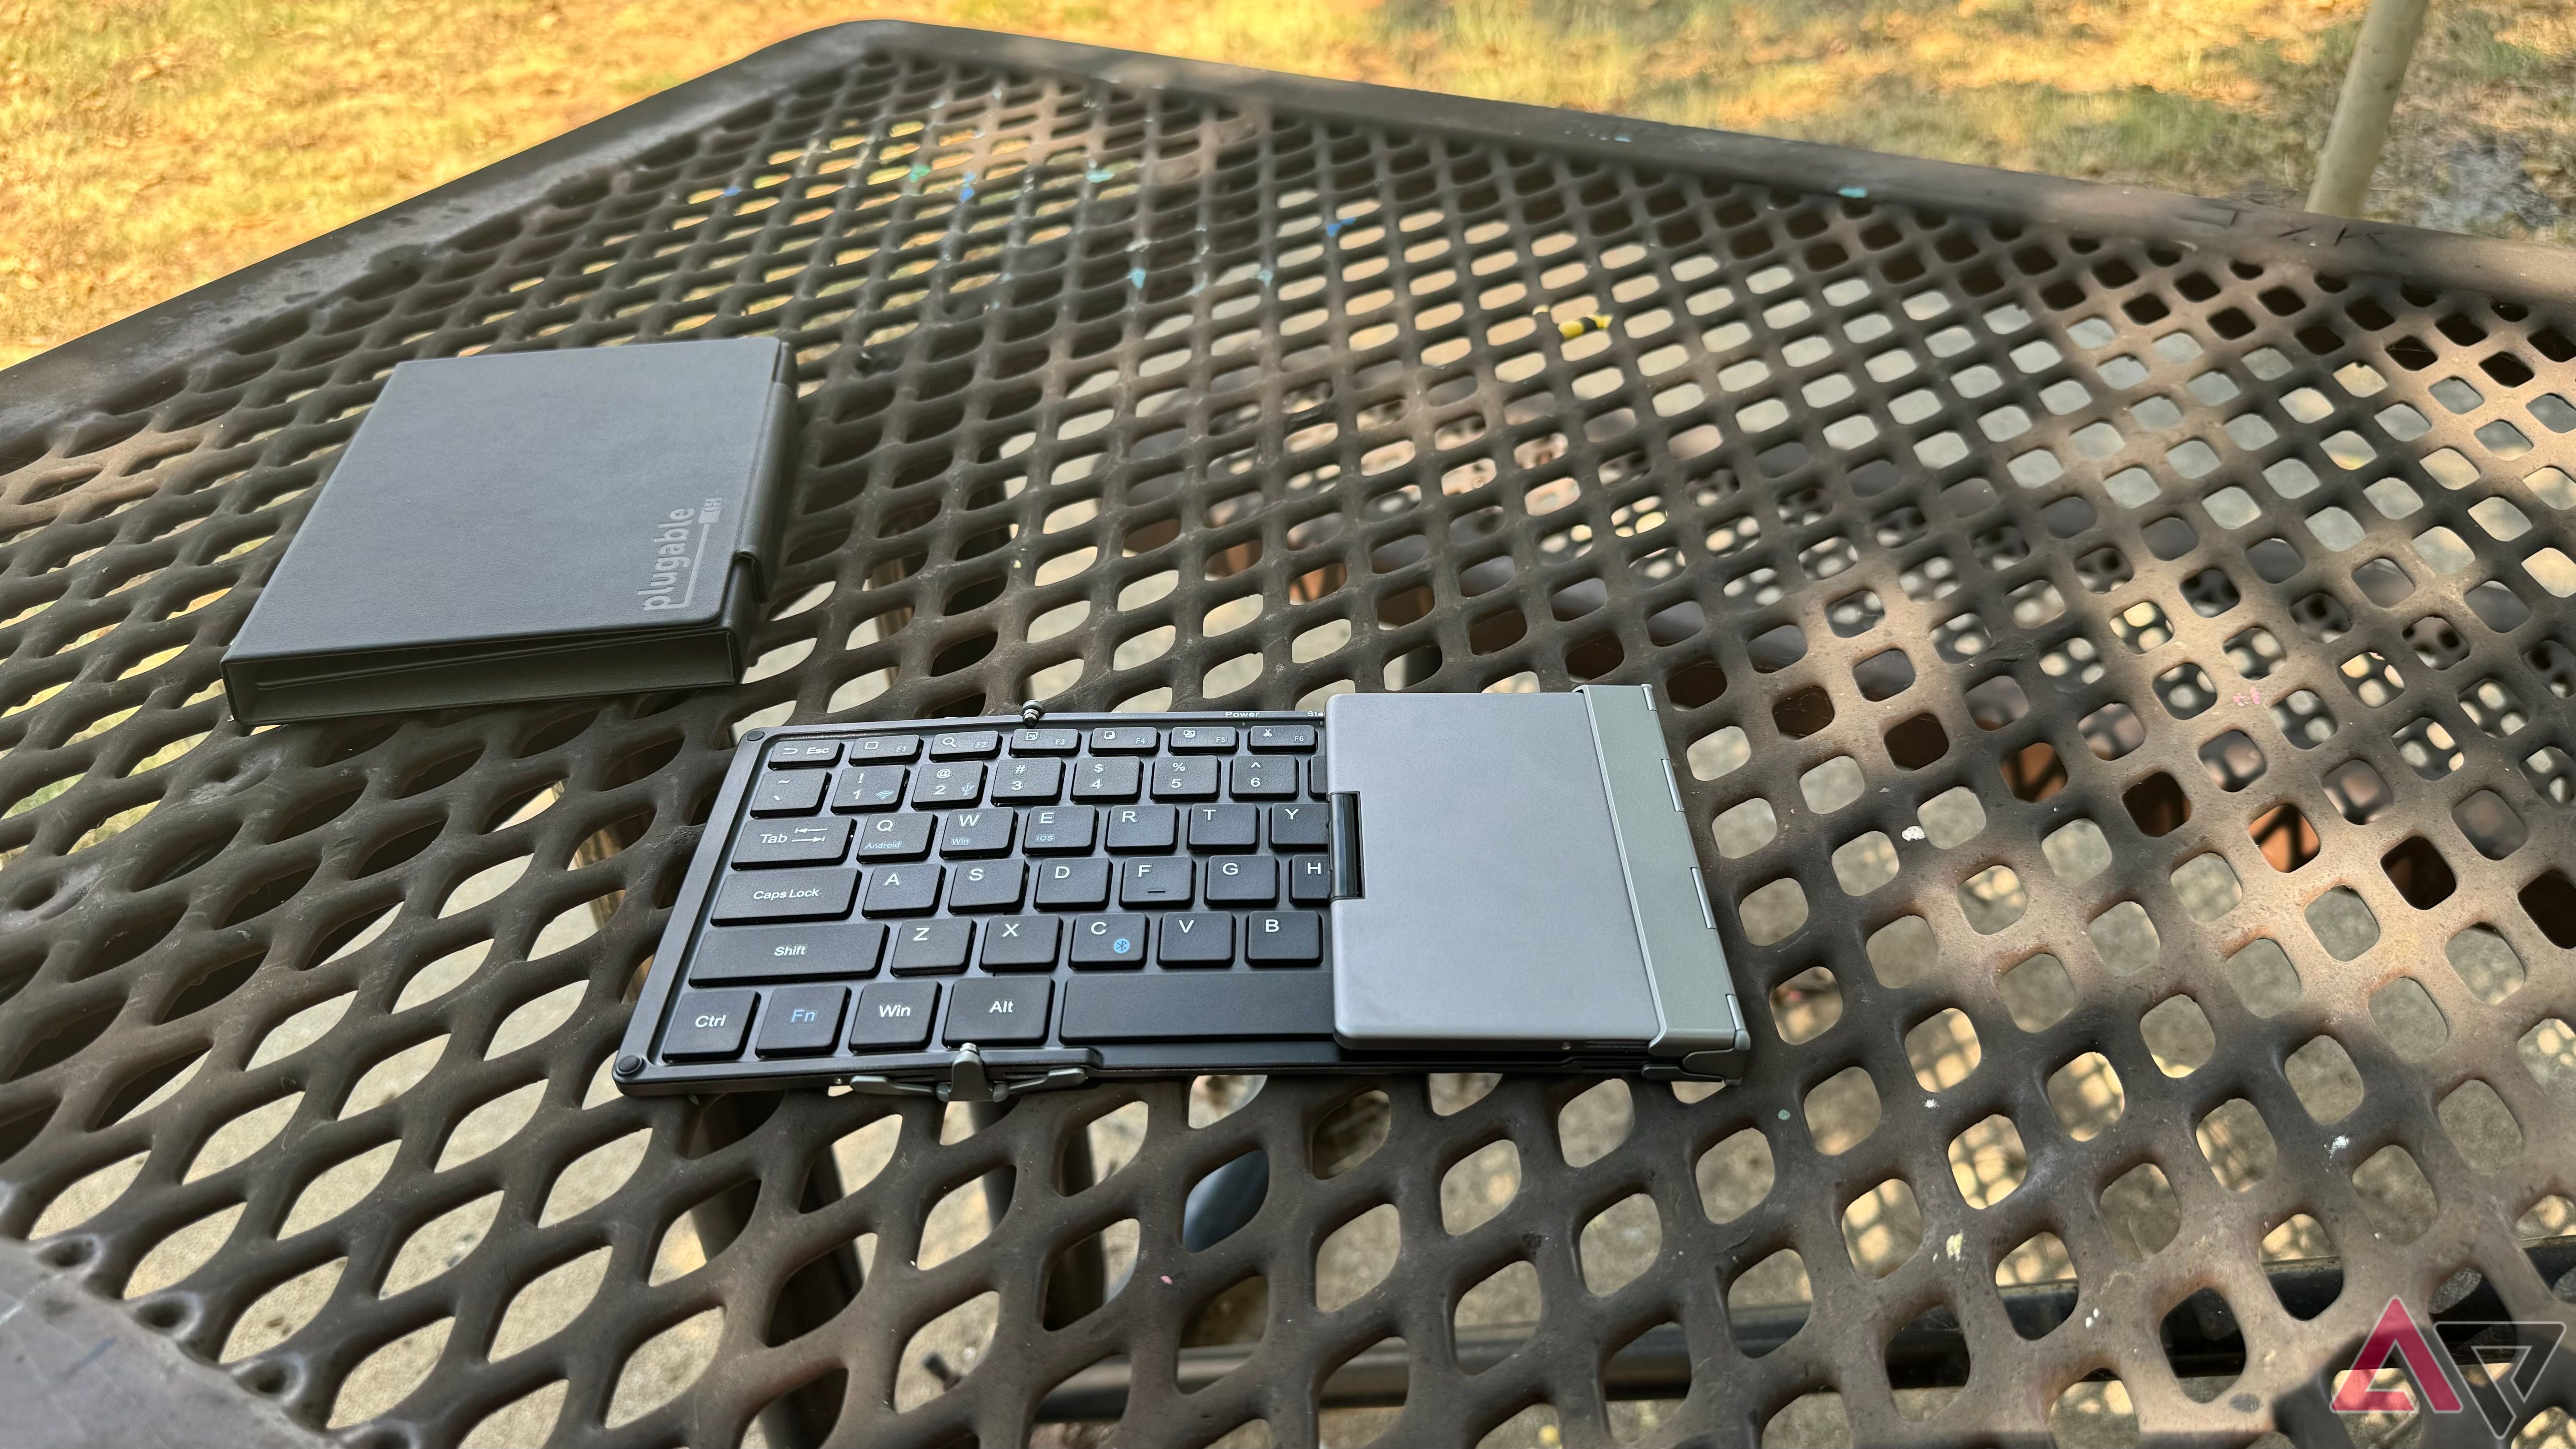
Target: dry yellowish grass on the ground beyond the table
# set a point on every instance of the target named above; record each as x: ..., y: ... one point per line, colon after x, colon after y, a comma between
x: 151, y: 146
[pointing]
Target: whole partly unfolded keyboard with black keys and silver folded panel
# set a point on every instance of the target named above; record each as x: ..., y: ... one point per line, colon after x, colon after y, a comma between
x: 988, y: 906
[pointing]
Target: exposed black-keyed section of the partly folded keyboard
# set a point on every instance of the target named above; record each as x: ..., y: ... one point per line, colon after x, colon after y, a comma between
x: 1109, y: 893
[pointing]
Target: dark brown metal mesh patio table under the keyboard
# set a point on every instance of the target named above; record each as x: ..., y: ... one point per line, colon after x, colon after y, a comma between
x: 2124, y: 648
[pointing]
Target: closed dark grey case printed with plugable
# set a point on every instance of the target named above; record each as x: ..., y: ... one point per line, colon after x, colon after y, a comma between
x: 532, y: 527
